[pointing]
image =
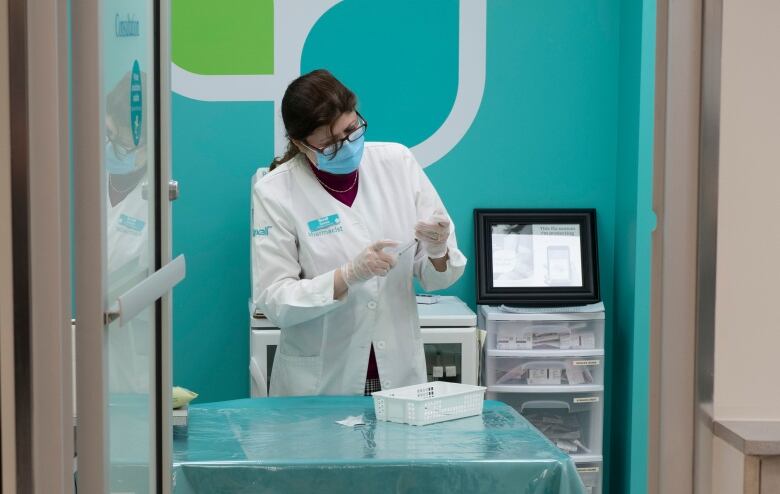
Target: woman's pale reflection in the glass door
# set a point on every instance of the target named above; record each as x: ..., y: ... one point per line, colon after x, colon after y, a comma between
x: 127, y: 235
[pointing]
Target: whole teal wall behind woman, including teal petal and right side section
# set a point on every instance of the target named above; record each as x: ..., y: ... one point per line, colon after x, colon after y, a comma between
x: 565, y: 121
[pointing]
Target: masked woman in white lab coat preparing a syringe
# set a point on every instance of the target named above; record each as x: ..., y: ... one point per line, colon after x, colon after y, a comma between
x: 328, y: 222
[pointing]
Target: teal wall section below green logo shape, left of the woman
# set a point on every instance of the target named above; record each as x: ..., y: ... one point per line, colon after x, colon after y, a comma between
x: 216, y: 149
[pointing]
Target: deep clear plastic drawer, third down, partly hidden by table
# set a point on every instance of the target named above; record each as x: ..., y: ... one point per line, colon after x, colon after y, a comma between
x: 564, y: 418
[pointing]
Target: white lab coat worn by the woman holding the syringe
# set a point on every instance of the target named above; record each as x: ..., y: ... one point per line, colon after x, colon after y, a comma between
x: 301, y: 235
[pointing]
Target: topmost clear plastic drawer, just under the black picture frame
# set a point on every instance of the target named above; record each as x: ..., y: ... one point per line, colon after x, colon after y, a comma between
x: 567, y: 331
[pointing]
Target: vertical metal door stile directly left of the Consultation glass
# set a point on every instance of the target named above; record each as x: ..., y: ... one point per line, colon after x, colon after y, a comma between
x: 89, y: 191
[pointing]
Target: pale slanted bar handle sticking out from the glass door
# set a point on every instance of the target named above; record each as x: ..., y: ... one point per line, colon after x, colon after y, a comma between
x: 132, y: 302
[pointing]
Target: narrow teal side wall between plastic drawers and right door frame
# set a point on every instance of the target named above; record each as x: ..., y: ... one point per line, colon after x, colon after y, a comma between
x: 634, y: 224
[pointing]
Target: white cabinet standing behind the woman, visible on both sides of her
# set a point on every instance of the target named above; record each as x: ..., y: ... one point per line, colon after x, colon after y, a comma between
x: 449, y: 336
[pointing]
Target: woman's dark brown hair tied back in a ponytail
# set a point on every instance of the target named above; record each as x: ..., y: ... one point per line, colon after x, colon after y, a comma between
x: 311, y: 101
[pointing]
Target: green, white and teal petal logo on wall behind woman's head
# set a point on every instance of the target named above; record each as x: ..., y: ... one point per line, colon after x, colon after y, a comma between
x: 251, y: 51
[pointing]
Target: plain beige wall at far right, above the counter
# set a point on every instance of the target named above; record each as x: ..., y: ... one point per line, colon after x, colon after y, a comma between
x: 747, y: 330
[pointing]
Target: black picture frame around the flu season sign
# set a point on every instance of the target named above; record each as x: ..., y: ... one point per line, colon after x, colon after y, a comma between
x: 537, y: 296
